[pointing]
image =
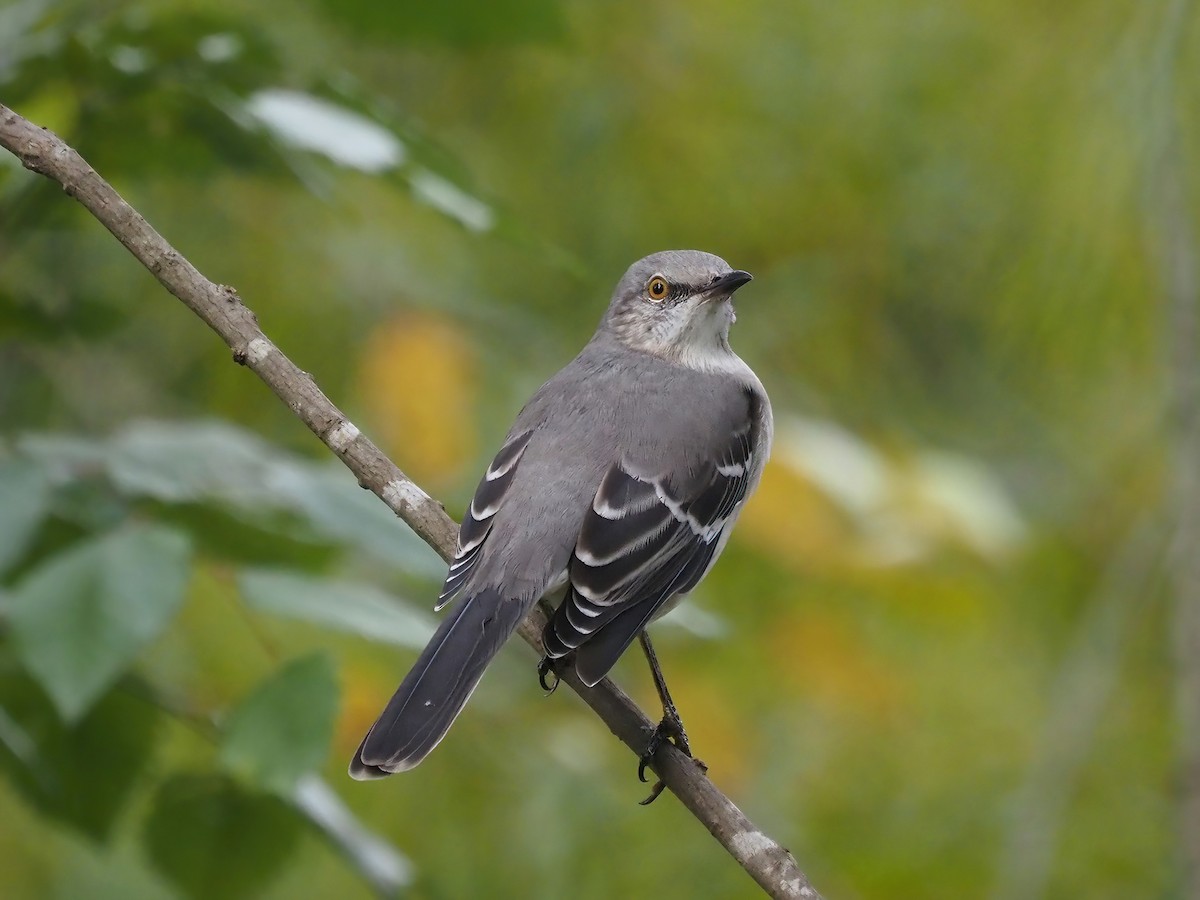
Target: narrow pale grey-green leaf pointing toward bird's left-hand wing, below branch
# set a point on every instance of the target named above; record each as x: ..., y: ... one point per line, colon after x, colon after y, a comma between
x: 357, y: 609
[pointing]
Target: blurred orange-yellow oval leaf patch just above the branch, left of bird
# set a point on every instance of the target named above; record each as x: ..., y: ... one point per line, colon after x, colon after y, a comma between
x: 417, y: 381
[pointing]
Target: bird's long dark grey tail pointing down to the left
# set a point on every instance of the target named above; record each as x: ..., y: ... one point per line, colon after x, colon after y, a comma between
x: 439, y: 687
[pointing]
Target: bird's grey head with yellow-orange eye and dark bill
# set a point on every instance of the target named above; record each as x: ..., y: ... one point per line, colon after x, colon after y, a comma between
x: 676, y: 304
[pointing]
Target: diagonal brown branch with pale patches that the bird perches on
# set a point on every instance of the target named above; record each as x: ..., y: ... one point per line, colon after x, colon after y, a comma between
x: 40, y: 151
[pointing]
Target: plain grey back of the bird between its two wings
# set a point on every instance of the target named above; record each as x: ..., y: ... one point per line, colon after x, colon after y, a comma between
x: 641, y: 397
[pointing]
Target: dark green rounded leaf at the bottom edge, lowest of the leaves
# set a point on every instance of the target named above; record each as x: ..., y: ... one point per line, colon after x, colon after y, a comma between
x: 212, y: 837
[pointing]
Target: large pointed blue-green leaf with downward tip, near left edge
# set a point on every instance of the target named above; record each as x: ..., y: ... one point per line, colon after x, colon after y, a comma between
x: 80, y: 620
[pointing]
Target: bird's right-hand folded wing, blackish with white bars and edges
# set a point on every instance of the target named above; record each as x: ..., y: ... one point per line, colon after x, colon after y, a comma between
x: 646, y: 539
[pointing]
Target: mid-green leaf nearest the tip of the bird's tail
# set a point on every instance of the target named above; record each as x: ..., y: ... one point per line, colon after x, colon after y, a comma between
x: 284, y: 729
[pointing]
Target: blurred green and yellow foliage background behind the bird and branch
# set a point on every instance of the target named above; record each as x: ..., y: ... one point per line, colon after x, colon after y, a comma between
x: 934, y: 661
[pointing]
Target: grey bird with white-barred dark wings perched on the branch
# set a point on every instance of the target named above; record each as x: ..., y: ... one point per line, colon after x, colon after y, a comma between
x: 616, y: 490
